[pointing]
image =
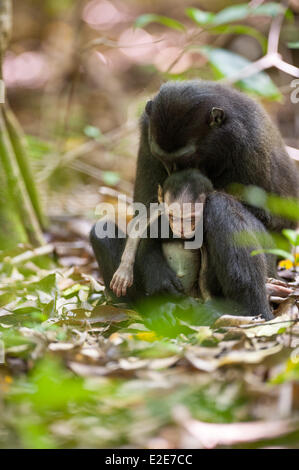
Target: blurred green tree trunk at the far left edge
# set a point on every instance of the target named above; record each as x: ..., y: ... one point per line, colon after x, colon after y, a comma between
x: 20, y: 213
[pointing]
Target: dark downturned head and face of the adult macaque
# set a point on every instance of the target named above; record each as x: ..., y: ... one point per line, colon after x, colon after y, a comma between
x: 178, y: 123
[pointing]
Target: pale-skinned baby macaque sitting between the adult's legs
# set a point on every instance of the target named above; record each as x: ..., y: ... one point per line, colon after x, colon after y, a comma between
x: 181, y: 200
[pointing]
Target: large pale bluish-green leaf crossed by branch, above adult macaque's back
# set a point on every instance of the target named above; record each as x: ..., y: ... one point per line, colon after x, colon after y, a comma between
x: 226, y: 64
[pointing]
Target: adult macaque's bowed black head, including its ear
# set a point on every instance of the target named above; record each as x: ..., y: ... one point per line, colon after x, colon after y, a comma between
x: 183, y: 118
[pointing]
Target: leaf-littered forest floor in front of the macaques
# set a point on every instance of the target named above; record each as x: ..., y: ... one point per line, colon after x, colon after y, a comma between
x: 81, y: 372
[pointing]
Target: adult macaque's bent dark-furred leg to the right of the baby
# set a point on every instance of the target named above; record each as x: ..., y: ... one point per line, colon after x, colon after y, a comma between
x: 232, y: 271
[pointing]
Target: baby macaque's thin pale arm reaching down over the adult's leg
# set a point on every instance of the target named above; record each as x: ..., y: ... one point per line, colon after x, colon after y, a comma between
x: 123, y: 276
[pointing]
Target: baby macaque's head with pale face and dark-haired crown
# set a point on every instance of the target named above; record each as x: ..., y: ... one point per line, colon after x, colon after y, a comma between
x: 184, y: 194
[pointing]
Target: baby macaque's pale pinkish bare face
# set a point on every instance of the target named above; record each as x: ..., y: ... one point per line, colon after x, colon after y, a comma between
x: 184, y: 211
